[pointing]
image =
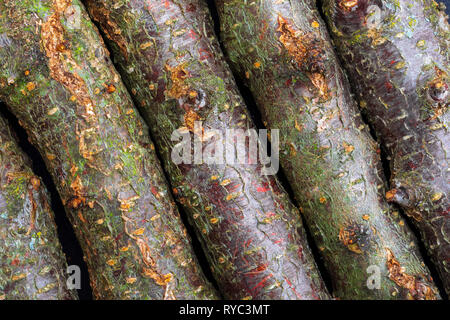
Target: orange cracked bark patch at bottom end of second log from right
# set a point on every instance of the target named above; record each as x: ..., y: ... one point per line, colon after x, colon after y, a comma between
x: 417, y: 289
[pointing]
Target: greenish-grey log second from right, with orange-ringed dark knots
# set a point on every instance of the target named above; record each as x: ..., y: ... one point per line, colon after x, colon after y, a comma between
x: 282, y: 51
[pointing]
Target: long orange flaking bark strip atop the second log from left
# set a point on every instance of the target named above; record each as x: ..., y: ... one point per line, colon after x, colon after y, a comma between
x: 60, y: 61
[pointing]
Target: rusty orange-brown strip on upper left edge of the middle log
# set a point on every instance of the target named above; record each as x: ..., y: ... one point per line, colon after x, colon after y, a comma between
x: 112, y: 31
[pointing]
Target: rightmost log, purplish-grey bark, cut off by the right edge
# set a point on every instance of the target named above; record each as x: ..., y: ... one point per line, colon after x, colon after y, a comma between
x: 396, y: 54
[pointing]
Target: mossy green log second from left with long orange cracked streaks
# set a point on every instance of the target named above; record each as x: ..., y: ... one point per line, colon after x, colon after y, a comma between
x: 57, y: 79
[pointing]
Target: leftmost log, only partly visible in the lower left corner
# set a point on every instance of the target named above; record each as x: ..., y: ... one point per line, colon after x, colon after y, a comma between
x: 32, y: 264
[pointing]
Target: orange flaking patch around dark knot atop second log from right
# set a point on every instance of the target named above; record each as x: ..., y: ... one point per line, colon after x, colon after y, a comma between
x: 306, y: 53
